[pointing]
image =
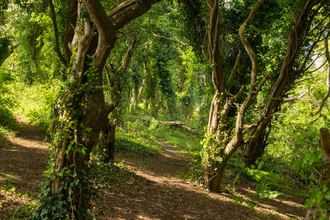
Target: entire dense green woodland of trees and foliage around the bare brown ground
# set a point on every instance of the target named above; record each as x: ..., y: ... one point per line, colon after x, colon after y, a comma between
x: 241, y: 87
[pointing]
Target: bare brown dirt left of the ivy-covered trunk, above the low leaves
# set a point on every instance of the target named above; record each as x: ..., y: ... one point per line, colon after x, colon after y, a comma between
x: 24, y: 158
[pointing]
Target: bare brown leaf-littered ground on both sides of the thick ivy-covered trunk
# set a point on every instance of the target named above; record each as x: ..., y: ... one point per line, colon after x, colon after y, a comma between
x: 145, y: 188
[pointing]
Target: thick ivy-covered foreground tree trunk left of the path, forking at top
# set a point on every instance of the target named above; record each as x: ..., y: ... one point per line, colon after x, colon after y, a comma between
x: 83, y: 113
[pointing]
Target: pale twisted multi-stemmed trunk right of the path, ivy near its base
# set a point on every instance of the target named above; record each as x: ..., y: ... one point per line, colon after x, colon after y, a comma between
x: 221, y: 148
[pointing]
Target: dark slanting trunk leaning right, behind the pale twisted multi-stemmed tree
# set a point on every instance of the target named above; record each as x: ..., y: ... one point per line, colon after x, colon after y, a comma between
x: 257, y: 140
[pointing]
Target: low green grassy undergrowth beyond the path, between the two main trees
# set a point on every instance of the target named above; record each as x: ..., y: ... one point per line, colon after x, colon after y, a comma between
x: 139, y: 133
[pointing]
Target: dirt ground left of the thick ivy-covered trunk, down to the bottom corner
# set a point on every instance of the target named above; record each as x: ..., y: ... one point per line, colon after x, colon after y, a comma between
x: 23, y: 160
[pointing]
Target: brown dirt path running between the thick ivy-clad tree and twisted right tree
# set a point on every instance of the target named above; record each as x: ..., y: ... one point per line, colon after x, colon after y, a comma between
x: 156, y: 191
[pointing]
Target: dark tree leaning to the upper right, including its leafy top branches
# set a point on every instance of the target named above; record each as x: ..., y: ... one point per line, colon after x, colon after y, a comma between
x: 297, y: 62
